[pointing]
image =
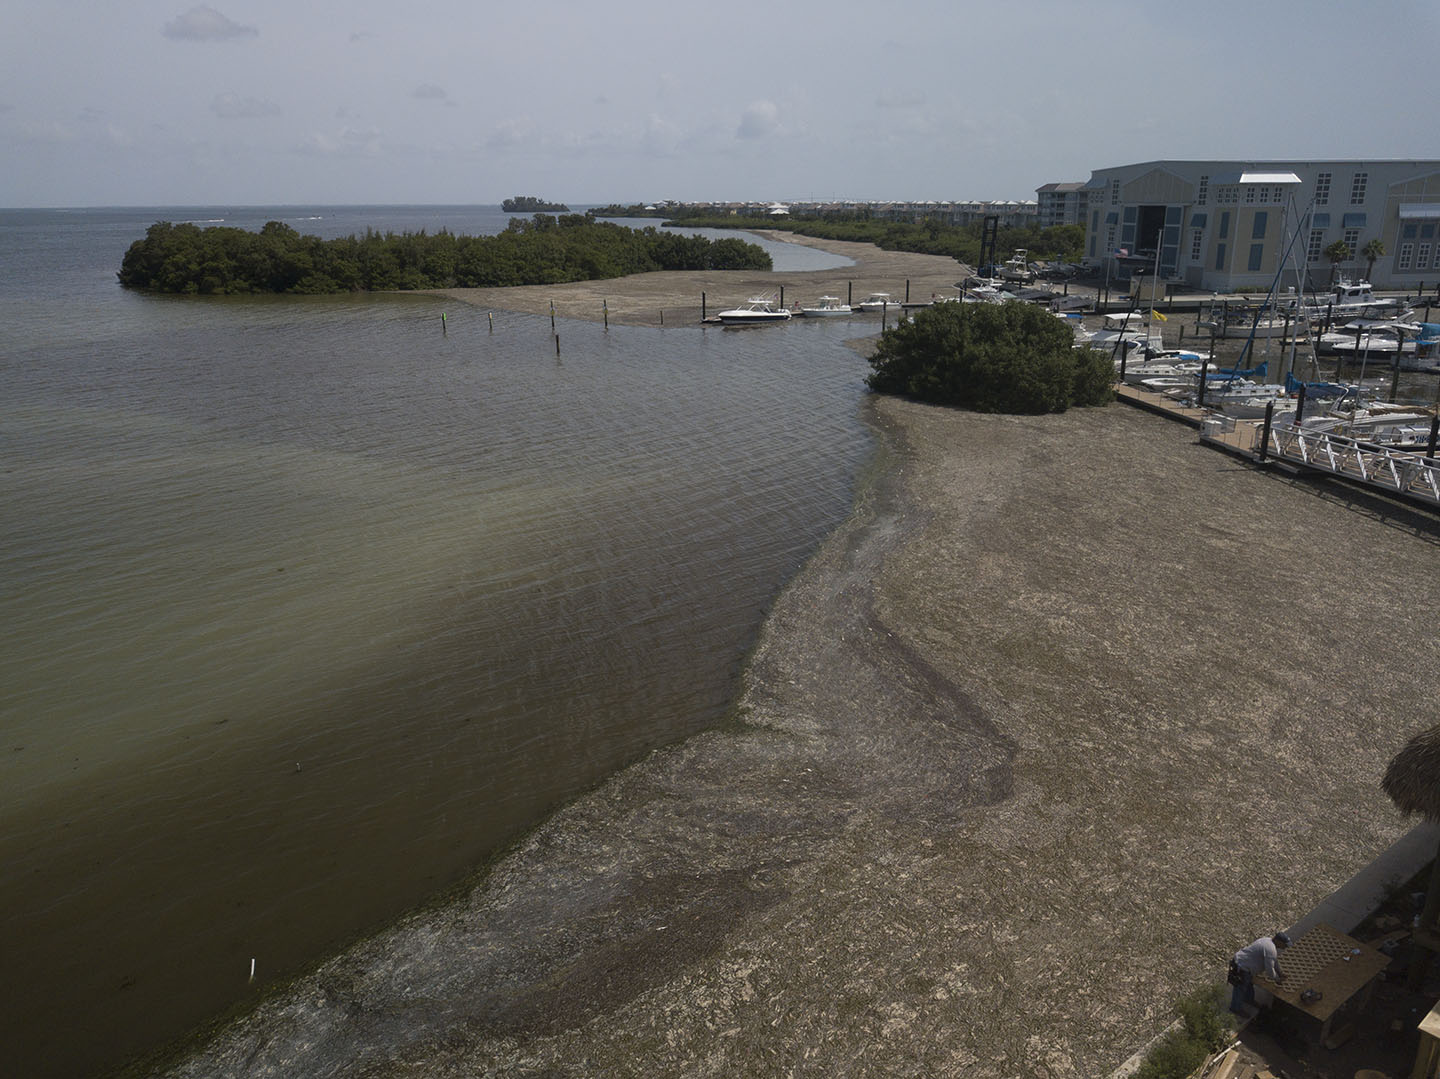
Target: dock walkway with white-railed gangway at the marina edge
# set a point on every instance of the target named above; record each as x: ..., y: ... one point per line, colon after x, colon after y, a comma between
x: 1402, y: 473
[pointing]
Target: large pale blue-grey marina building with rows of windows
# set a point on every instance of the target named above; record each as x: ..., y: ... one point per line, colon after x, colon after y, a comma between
x: 1229, y: 225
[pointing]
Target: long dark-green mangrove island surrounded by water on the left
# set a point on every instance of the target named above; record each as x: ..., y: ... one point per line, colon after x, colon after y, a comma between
x: 532, y: 251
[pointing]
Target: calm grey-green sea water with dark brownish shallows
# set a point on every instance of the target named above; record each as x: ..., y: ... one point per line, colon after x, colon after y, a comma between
x: 309, y: 606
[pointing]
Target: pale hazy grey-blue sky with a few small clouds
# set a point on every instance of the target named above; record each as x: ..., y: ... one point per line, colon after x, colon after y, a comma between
x: 257, y: 103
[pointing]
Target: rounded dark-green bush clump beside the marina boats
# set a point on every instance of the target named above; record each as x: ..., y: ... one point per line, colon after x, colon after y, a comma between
x: 991, y: 358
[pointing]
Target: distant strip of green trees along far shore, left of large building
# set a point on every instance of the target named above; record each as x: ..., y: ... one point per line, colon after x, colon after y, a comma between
x: 927, y: 237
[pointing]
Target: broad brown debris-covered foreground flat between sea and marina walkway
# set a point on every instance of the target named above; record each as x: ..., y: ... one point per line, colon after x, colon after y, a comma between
x: 1066, y: 712
